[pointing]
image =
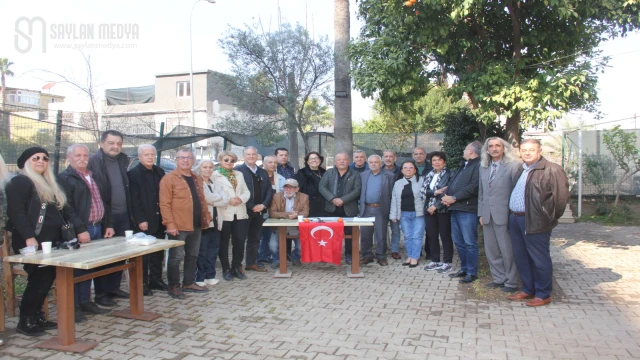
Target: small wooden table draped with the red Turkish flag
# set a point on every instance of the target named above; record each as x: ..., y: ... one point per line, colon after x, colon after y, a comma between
x: 355, y: 223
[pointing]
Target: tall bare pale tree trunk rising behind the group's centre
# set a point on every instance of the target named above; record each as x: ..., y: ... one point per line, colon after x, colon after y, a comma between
x: 343, y: 130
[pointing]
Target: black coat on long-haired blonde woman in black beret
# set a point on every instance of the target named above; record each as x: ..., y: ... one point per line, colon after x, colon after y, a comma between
x: 23, y: 210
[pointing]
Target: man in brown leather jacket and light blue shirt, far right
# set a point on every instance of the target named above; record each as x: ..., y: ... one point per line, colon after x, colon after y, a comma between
x: 538, y: 200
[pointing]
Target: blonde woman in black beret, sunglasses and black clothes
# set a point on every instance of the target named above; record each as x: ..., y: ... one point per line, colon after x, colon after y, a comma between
x: 27, y: 193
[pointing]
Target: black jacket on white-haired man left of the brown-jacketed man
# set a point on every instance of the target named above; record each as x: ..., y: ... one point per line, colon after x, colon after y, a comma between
x: 145, y: 198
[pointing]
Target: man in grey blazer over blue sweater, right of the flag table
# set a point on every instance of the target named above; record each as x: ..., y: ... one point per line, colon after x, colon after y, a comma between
x: 375, y: 201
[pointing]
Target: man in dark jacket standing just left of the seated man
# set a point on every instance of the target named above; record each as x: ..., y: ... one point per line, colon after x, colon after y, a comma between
x: 257, y: 181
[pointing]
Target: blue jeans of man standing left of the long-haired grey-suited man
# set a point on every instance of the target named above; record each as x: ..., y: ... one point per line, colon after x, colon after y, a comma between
x: 464, y: 231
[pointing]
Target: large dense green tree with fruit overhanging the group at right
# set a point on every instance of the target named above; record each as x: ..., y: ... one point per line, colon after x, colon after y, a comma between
x: 530, y: 61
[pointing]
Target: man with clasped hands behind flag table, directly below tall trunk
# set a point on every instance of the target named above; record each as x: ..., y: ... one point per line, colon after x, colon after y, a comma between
x: 340, y: 187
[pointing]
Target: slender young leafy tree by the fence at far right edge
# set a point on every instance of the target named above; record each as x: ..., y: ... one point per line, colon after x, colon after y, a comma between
x: 622, y: 145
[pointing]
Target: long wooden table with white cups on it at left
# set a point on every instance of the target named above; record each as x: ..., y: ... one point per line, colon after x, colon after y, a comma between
x: 90, y: 256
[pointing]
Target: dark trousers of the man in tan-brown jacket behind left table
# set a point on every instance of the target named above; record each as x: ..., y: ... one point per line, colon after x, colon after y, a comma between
x: 189, y: 252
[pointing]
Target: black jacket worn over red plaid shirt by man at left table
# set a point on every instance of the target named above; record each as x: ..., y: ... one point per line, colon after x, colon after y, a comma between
x: 79, y: 200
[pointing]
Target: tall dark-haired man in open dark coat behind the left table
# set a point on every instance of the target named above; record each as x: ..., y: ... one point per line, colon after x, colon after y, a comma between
x: 109, y: 168
